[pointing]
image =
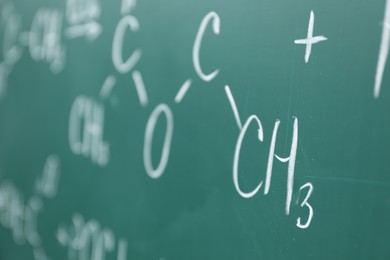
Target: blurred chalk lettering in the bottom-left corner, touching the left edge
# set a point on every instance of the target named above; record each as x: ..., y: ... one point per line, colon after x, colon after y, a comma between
x: 21, y: 215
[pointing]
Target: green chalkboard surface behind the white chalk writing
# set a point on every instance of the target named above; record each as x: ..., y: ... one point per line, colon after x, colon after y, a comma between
x: 193, y: 210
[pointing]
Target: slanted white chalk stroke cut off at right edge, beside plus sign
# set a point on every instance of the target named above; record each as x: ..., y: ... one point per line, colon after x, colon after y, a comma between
x: 383, y: 51
